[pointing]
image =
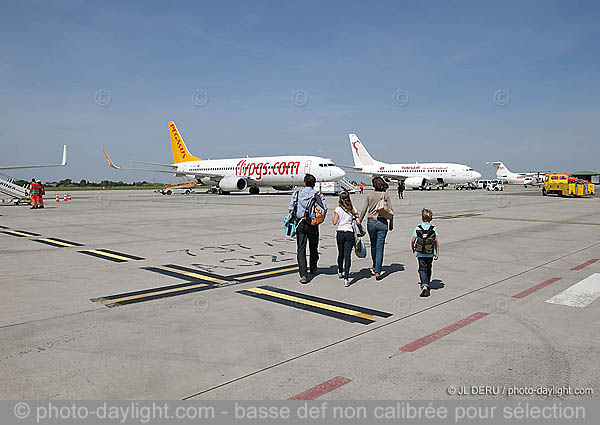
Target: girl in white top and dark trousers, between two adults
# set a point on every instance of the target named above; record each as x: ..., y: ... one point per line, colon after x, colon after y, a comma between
x: 342, y: 217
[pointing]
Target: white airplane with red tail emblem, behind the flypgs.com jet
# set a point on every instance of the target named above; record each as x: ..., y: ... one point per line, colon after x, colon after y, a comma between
x: 416, y: 175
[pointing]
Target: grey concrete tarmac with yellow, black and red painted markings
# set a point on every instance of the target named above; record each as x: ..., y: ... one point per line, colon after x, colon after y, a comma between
x: 135, y: 295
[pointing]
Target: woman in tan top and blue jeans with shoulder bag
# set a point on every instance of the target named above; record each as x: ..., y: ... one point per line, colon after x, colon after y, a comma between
x: 380, y: 215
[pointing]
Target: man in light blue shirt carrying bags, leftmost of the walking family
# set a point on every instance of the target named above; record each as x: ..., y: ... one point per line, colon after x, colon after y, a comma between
x: 307, y: 201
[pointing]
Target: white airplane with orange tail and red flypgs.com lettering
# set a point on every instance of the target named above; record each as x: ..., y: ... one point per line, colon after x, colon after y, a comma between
x: 238, y: 174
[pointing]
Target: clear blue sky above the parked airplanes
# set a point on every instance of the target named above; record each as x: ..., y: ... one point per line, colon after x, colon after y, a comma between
x: 349, y: 58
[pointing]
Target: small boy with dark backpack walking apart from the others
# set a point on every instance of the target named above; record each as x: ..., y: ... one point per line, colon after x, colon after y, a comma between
x: 426, y: 244
